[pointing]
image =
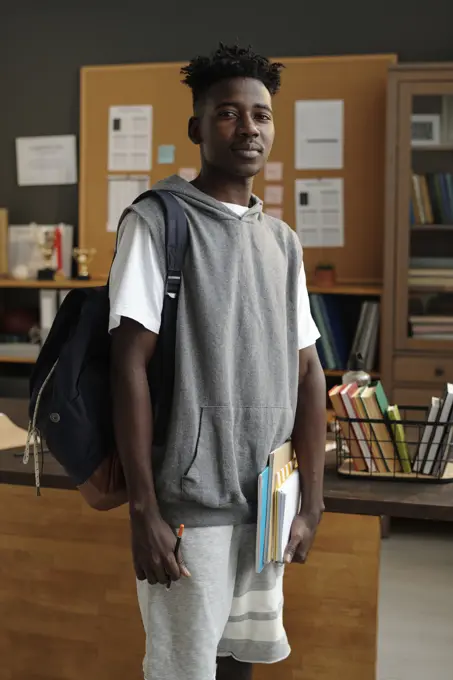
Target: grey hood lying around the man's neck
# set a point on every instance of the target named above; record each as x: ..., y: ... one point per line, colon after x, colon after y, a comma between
x: 198, y: 200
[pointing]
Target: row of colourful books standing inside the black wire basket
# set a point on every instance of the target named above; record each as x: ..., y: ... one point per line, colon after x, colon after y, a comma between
x: 376, y: 437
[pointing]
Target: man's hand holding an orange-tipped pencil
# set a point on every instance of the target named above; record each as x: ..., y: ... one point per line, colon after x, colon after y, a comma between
x: 153, y: 546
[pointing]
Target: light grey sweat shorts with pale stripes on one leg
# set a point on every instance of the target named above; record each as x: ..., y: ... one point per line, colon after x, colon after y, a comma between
x: 224, y: 609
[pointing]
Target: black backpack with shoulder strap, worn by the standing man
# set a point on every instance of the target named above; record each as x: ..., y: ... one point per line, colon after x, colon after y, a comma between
x: 70, y: 400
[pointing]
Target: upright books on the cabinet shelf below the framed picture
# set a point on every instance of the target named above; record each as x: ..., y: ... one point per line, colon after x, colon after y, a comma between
x: 432, y: 198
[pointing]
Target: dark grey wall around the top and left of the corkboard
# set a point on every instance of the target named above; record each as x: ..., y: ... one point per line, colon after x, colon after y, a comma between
x: 44, y: 43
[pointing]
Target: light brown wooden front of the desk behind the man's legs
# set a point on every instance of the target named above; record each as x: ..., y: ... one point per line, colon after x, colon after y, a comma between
x: 68, y: 606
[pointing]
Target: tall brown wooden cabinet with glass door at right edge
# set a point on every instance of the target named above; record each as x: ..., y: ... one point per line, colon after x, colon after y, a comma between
x: 417, y: 325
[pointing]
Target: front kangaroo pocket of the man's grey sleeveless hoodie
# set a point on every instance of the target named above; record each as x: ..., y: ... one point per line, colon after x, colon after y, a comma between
x: 232, y: 449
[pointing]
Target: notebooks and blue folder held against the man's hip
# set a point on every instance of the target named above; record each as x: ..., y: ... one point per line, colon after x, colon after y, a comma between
x: 278, y: 503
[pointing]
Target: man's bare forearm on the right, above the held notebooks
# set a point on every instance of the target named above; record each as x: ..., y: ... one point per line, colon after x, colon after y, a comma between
x: 309, y: 436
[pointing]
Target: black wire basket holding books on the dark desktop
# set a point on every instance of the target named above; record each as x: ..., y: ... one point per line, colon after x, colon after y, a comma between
x: 409, y: 449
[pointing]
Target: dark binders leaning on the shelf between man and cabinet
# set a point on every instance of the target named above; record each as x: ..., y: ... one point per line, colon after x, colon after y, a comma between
x: 334, y: 350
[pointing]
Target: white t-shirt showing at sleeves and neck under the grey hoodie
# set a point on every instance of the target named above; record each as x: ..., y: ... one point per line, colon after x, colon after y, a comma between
x: 137, y: 282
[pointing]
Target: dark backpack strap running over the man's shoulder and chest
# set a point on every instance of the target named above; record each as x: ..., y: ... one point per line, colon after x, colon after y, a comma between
x: 176, y: 243
